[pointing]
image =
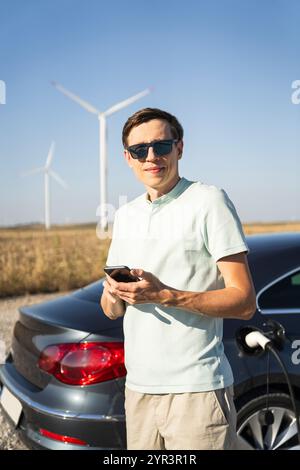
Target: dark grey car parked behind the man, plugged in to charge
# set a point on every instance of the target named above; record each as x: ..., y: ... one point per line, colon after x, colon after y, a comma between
x: 63, y: 381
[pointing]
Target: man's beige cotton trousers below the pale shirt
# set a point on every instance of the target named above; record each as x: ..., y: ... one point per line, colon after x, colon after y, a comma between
x: 181, y: 421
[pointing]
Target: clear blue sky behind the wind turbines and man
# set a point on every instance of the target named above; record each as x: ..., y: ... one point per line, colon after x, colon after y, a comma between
x: 223, y: 67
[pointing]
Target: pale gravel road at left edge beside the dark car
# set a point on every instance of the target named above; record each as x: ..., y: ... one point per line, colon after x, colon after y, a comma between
x: 9, y: 439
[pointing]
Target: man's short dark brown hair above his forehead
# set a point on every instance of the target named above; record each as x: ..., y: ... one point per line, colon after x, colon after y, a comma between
x: 147, y: 114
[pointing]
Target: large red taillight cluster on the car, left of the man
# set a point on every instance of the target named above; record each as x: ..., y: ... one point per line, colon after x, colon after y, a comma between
x: 84, y: 363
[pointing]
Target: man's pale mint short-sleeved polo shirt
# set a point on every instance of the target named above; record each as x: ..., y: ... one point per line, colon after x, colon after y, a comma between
x: 179, y: 237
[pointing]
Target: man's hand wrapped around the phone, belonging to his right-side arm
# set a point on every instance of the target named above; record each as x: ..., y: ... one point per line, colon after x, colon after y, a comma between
x: 147, y: 290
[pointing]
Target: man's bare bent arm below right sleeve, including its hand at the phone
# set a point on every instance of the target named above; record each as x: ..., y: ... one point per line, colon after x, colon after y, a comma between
x: 236, y: 300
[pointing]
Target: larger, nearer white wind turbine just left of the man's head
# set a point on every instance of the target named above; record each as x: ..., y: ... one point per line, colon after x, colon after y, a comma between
x: 102, y: 139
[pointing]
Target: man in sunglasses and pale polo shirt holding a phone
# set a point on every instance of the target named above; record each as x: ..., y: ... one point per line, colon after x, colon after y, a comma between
x: 185, y: 243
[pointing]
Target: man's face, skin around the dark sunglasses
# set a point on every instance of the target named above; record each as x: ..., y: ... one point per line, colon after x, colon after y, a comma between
x: 165, y: 168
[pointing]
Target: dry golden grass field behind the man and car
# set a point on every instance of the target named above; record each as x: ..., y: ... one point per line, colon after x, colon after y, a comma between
x: 33, y: 260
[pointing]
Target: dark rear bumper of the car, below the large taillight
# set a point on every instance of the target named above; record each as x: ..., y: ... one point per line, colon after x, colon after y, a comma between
x: 99, y: 431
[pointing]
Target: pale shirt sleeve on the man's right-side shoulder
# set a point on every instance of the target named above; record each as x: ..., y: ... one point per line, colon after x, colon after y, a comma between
x: 222, y: 230
